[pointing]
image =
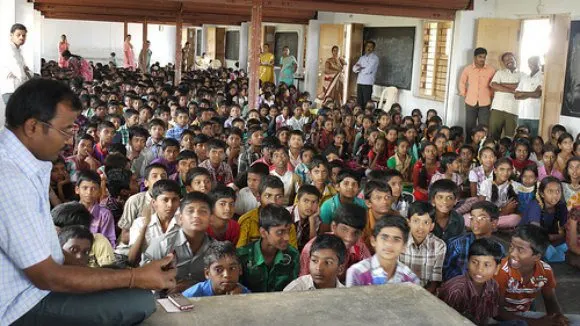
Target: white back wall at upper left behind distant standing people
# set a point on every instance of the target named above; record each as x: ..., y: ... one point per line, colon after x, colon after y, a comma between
x: 96, y: 40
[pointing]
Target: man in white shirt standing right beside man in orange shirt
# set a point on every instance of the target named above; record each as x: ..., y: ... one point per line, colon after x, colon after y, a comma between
x: 504, y: 108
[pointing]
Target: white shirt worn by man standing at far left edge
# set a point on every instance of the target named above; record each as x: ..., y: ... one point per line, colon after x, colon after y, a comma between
x: 11, y: 62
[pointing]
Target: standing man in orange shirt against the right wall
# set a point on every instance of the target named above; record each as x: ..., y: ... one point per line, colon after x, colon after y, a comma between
x: 474, y: 86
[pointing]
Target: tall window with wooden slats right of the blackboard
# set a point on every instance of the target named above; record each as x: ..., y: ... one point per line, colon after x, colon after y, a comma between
x: 435, y: 59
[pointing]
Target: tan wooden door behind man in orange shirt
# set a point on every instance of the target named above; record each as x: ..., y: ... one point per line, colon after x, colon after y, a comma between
x: 498, y: 36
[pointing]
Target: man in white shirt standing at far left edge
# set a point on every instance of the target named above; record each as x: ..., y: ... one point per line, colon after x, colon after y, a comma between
x: 13, y: 70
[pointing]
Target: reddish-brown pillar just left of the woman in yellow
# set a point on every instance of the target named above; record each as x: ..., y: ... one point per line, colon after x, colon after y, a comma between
x: 255, y: 47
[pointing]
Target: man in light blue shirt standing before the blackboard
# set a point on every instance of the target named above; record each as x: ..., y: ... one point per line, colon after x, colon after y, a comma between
x: 366, y: 68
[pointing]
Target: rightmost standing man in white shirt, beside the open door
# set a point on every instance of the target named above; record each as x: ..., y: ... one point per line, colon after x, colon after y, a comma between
x: 529, y: 94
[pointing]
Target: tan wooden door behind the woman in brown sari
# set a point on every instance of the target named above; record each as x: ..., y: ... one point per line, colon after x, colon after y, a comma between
x: 330, y: 35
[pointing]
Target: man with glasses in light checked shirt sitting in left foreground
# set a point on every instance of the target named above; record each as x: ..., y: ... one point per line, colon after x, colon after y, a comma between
x: 36, y: 288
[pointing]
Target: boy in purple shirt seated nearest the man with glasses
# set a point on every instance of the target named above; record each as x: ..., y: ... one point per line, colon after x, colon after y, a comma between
x: 88, y: 189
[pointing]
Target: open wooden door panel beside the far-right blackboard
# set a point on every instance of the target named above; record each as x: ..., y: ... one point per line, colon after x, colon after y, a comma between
x: 554, y: 73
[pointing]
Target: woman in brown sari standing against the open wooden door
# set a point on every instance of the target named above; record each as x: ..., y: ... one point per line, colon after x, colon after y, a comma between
x: 334, y: 77
